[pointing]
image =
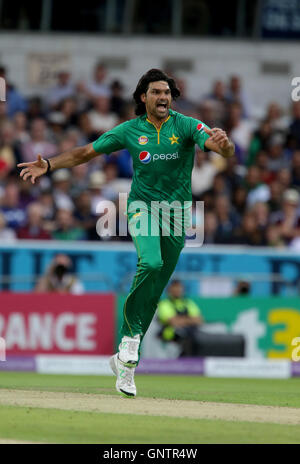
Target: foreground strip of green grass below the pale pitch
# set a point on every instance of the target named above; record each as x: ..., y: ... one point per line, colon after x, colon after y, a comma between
x: 56, y: 426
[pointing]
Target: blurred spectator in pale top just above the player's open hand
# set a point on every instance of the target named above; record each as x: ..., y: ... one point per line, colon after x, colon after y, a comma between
x: 38, y: 142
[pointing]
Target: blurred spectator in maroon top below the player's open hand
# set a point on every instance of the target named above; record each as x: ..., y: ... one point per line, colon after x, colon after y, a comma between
x: 33, y: 229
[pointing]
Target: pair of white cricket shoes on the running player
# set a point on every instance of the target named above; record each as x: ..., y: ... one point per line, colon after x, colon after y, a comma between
x: 123, y: 365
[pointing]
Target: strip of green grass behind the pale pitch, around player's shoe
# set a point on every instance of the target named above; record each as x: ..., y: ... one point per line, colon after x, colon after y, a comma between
x: 271, y: 392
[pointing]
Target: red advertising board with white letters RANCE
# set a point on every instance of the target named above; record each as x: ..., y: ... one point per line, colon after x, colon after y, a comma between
x: 57, y: 324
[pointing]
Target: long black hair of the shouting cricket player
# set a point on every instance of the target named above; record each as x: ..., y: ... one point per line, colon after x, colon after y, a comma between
x: 153, y: 75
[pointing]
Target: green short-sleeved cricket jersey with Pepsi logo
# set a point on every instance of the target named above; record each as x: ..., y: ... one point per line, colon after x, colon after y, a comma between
x: 163, y: 158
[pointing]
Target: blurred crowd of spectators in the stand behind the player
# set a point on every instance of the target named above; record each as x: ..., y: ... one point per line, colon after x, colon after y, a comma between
x: 250, y: 199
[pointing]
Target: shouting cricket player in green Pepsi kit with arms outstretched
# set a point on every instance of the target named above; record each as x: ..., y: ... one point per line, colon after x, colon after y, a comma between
x: 161, y: 143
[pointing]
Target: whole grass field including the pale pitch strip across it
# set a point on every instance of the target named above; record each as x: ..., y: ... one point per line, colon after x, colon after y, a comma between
x: 168, y: 409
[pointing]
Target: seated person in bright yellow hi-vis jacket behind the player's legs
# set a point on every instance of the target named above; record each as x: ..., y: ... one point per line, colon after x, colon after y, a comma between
x: 180, y: 318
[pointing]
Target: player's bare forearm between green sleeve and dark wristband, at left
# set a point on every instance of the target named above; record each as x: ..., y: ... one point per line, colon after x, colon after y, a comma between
x: 73, y: 157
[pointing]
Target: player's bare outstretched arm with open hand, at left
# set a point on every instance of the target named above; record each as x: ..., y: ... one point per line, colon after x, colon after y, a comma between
x: 67, y: 159
